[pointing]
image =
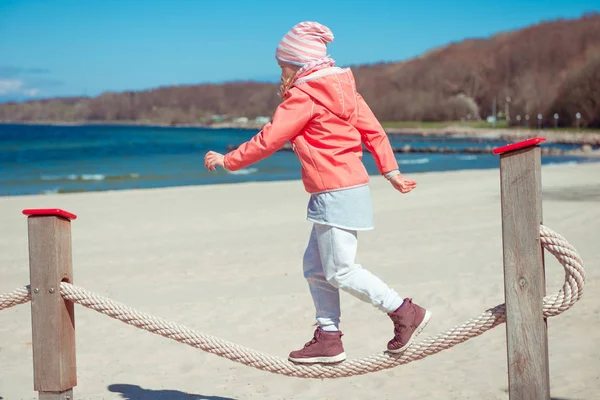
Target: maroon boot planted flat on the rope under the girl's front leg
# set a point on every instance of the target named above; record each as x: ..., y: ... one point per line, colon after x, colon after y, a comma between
x: 325, y: 347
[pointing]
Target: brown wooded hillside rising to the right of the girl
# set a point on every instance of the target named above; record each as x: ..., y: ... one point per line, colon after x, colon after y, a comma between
x: 527, y: 66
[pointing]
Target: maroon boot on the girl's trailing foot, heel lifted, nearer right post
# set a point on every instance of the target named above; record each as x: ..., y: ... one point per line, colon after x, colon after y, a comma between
x: 409, y: 320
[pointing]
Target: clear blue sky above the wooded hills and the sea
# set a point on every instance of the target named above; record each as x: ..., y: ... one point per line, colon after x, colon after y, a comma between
x: 86, y: 47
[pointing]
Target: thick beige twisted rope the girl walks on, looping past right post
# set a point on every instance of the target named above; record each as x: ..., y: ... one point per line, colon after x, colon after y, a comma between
x: 571, y: 291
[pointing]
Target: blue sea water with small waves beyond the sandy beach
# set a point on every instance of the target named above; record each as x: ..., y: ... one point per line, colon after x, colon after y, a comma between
x: 38, y: 159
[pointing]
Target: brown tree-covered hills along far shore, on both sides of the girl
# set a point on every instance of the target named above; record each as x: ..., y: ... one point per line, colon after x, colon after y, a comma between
x: 552, y: 67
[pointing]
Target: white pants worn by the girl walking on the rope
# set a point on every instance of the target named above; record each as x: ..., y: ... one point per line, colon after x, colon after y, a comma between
x: 329, y: 265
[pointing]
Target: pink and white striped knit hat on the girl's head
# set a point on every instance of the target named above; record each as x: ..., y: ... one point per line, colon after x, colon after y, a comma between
x: 306, y: 42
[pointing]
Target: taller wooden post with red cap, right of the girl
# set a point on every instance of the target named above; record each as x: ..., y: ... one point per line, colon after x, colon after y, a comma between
x: 524, y: 274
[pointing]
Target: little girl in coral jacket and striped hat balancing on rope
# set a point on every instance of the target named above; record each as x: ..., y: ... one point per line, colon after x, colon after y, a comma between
x: 327, y: 121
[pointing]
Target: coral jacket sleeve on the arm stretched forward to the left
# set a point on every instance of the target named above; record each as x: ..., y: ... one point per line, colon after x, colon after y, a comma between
x: 289, y: 119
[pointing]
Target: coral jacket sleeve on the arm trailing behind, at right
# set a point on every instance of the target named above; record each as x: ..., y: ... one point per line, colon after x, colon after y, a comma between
x: 374, y: 137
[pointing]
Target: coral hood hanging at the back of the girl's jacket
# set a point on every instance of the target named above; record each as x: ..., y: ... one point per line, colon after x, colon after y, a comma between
x: 334, y: 88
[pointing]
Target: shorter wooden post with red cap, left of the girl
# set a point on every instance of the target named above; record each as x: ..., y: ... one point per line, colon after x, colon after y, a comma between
x: 52, y: 318
